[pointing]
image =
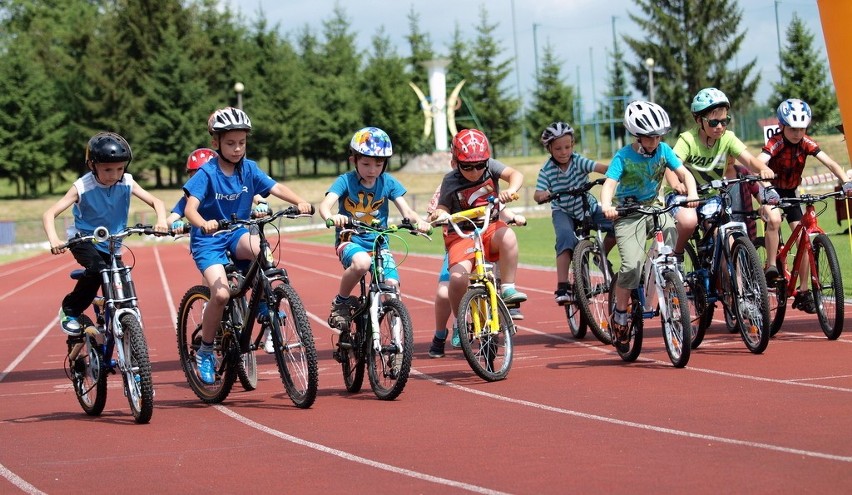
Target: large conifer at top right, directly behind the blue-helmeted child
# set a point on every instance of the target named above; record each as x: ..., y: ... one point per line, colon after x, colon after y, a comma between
x: 693, y: 43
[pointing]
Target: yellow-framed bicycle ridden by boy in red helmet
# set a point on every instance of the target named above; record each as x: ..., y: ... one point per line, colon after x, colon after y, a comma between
x: 484, y: 322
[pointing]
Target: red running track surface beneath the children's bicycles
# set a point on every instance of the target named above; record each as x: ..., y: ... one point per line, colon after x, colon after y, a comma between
x: 571, y: 417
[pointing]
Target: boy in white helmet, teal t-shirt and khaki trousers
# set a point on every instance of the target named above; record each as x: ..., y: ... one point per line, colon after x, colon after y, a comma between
x: 636, y: 172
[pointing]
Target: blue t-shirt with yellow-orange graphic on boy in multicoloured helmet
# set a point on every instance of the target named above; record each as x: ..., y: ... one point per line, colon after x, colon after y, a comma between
x: 365, y: 204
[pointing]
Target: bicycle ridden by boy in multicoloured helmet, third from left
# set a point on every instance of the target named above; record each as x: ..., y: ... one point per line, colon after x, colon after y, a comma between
x: 380, y: 336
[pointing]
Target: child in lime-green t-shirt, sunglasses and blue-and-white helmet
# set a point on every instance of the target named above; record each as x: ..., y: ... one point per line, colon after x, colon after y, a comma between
x: 708, y: 152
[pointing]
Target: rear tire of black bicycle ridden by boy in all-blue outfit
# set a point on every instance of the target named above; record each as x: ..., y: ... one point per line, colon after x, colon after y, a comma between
x: 188, y: 341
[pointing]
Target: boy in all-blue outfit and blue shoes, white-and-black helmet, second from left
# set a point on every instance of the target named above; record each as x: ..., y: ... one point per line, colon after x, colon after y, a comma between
x: 223, y: 187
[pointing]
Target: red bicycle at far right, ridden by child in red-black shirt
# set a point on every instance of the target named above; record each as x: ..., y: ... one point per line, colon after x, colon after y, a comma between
x: 809, y: 240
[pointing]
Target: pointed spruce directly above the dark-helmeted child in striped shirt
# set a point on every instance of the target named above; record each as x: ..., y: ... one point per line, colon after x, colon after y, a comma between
x: 553, y: 100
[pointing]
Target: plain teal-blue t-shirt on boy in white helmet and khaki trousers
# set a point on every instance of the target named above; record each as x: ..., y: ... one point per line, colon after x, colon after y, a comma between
x: 641, y: 176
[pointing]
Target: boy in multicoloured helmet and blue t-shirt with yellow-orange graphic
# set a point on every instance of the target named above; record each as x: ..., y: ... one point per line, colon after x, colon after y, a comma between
x: 364, y: 194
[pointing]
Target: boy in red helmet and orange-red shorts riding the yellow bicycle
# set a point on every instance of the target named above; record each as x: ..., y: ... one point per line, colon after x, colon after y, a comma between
x: 476, y: 178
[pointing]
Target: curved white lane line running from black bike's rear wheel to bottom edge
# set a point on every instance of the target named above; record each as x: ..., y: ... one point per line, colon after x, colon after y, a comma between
x: 354, y: 458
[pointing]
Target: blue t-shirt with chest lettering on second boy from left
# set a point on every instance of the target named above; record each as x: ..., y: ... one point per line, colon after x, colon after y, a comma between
x: 222, y: 196
